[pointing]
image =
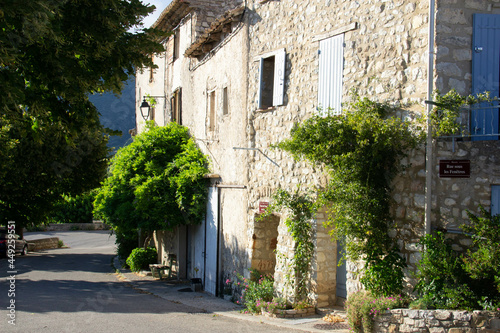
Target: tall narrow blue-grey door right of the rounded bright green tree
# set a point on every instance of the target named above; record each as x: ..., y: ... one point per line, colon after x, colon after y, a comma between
x: 211, y: 245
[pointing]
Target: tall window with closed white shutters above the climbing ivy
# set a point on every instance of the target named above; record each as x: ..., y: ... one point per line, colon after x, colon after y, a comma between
x: 331, y: 68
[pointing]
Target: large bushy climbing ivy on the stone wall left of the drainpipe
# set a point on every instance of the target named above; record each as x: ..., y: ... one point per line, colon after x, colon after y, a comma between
x: 361, y: 151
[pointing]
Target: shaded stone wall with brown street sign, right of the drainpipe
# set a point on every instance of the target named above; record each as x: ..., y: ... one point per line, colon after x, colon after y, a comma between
x: 453, y: 196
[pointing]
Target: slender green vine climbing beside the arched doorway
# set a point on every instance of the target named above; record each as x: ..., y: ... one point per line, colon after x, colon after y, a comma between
x: 301, y: 212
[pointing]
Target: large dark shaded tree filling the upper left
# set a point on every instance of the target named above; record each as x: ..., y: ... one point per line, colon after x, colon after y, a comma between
x: 53, y: 53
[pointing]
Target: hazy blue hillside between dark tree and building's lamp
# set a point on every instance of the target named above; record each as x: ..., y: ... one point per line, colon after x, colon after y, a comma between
x: 117, y: 113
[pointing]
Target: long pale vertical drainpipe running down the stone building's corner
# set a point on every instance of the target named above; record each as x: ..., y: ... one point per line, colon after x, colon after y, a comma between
x: 430, y: 87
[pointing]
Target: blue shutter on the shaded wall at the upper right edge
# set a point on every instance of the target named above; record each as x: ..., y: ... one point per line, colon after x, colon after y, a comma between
x: 485, y: 73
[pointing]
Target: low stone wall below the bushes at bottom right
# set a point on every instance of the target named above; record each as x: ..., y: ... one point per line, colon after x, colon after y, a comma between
x: 437, y: 321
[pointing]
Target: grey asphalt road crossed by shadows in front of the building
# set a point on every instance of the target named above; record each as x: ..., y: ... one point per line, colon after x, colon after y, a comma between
x: 75, y: 290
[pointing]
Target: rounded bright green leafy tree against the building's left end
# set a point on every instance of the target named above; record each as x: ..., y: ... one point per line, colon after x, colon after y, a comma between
x: 155, y: 183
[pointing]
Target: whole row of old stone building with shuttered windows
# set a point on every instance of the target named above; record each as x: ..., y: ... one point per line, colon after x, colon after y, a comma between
x: 260, y: 66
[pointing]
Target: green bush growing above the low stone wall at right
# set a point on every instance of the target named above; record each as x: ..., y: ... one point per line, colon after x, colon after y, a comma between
x: 465, y: 281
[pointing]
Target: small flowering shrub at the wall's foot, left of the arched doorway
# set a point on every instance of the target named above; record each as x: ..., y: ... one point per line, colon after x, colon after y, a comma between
x: 257, y: 292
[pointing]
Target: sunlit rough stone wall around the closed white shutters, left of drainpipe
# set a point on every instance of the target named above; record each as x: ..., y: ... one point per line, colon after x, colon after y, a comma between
x: 384, y: 59
